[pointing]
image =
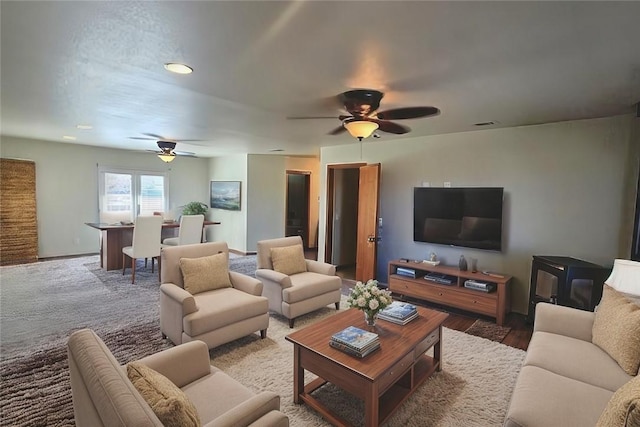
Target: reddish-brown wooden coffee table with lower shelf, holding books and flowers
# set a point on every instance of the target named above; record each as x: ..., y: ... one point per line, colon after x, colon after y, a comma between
x: 383, y: 379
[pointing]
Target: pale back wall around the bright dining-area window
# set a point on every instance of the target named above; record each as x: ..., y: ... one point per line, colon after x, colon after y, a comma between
x: 67, y: 188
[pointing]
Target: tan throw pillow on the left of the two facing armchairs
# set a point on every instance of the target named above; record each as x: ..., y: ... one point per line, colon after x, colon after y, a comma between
x: 205, y: 273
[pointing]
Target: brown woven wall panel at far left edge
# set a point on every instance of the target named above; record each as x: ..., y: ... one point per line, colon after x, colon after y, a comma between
x: 18, y: 221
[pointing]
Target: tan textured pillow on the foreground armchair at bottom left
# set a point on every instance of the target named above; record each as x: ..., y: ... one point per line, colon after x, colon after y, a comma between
x: 170, y: 404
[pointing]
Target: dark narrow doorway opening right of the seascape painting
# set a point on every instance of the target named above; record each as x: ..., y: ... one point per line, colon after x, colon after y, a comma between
x: 297, y: 209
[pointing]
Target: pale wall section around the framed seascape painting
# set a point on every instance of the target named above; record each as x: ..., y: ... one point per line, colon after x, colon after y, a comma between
x: 233, y: 227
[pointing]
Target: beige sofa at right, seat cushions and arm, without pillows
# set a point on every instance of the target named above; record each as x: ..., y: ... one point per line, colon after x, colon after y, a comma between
x: 565, y: 379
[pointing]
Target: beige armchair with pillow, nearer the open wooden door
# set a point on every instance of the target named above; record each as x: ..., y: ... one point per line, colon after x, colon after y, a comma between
x: 294, y: 285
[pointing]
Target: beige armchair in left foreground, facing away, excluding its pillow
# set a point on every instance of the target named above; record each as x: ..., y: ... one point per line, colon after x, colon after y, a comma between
x: 104, y: 396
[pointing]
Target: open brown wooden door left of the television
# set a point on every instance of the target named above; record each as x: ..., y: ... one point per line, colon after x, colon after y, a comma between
x: 367, y: 247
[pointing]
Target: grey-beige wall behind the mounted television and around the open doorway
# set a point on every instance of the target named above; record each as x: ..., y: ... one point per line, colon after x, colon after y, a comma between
x: 563, y: 191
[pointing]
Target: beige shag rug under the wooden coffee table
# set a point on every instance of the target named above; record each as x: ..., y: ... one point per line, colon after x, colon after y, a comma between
x: 473, y: 389
